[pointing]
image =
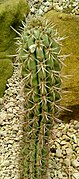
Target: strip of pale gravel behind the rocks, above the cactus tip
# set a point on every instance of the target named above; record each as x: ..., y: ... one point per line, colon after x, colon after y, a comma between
x: 39, y: 7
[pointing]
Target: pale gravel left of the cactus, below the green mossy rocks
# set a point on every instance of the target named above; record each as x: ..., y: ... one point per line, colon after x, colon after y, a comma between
x: 10, y: 126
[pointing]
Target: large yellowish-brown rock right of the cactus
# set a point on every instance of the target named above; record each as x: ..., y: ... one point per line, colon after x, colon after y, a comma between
x: 67, y: 28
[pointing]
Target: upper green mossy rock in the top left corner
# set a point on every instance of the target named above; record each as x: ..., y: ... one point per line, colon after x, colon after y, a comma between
x: 11, y: 14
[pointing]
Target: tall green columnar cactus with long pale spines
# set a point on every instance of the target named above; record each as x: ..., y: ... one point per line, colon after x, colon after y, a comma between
x: 38, y: 52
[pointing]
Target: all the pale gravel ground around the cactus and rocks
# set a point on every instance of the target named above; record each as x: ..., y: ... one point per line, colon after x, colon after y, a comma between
x: 65, y: 143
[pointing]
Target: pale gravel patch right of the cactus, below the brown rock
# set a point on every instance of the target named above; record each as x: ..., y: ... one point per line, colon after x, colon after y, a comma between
x: 65, y: 151
